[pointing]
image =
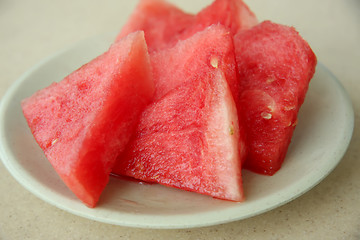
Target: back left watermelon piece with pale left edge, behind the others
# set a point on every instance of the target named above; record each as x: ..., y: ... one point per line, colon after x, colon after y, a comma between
x: 161, y: 21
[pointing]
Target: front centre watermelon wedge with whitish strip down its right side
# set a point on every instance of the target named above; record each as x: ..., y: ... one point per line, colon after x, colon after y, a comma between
x: 188, y: 139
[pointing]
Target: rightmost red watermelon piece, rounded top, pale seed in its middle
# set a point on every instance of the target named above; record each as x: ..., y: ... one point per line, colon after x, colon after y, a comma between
x: 275, y: 66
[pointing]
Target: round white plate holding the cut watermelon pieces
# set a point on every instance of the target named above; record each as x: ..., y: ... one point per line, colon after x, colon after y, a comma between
x: 325, y: 127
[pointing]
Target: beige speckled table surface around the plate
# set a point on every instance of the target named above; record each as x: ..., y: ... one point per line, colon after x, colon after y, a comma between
x: 31, y: 30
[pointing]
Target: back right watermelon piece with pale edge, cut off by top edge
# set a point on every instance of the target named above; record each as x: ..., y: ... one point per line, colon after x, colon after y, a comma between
x: 233, y: 14
